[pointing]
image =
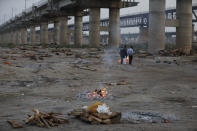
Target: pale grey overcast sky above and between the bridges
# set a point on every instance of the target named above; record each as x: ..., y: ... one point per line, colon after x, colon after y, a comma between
x: 9, y: 8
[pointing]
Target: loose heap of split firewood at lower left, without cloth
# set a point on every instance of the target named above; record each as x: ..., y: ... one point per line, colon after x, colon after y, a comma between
x: 47, y: 120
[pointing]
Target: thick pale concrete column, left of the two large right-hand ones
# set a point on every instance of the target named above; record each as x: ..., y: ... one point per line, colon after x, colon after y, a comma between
x: 156, y: 26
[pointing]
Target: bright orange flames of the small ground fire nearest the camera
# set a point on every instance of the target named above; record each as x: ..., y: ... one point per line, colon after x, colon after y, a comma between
x: 98, y: 93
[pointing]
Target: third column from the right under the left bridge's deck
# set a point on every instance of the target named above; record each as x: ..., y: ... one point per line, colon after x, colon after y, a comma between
x: 78, y: 36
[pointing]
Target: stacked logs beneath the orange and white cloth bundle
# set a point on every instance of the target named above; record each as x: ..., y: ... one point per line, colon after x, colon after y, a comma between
x: 96, y: 118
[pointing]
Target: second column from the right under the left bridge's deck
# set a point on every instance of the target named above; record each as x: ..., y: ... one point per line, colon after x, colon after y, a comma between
x: 94, y: 33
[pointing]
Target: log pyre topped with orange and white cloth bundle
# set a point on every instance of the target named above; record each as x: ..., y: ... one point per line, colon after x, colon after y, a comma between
x: 92, y: 116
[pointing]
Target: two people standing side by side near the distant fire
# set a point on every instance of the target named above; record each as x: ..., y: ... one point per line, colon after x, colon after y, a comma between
x: 124, y: 53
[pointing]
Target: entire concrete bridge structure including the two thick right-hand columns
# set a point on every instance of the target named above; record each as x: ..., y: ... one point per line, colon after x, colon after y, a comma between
x: 57, y: 12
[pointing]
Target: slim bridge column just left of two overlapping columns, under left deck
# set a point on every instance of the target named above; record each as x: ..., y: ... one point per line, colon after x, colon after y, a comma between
x: 44, y: 33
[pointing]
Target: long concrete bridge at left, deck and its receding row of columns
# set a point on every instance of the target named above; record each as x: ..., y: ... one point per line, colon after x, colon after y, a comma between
x: 57, y: 12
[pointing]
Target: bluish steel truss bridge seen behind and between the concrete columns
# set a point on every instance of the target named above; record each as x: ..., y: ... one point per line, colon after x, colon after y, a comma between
x: 140, y: 20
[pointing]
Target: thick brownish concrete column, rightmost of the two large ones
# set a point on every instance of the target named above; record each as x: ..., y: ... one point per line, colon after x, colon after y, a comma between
x: 184, y: 30
